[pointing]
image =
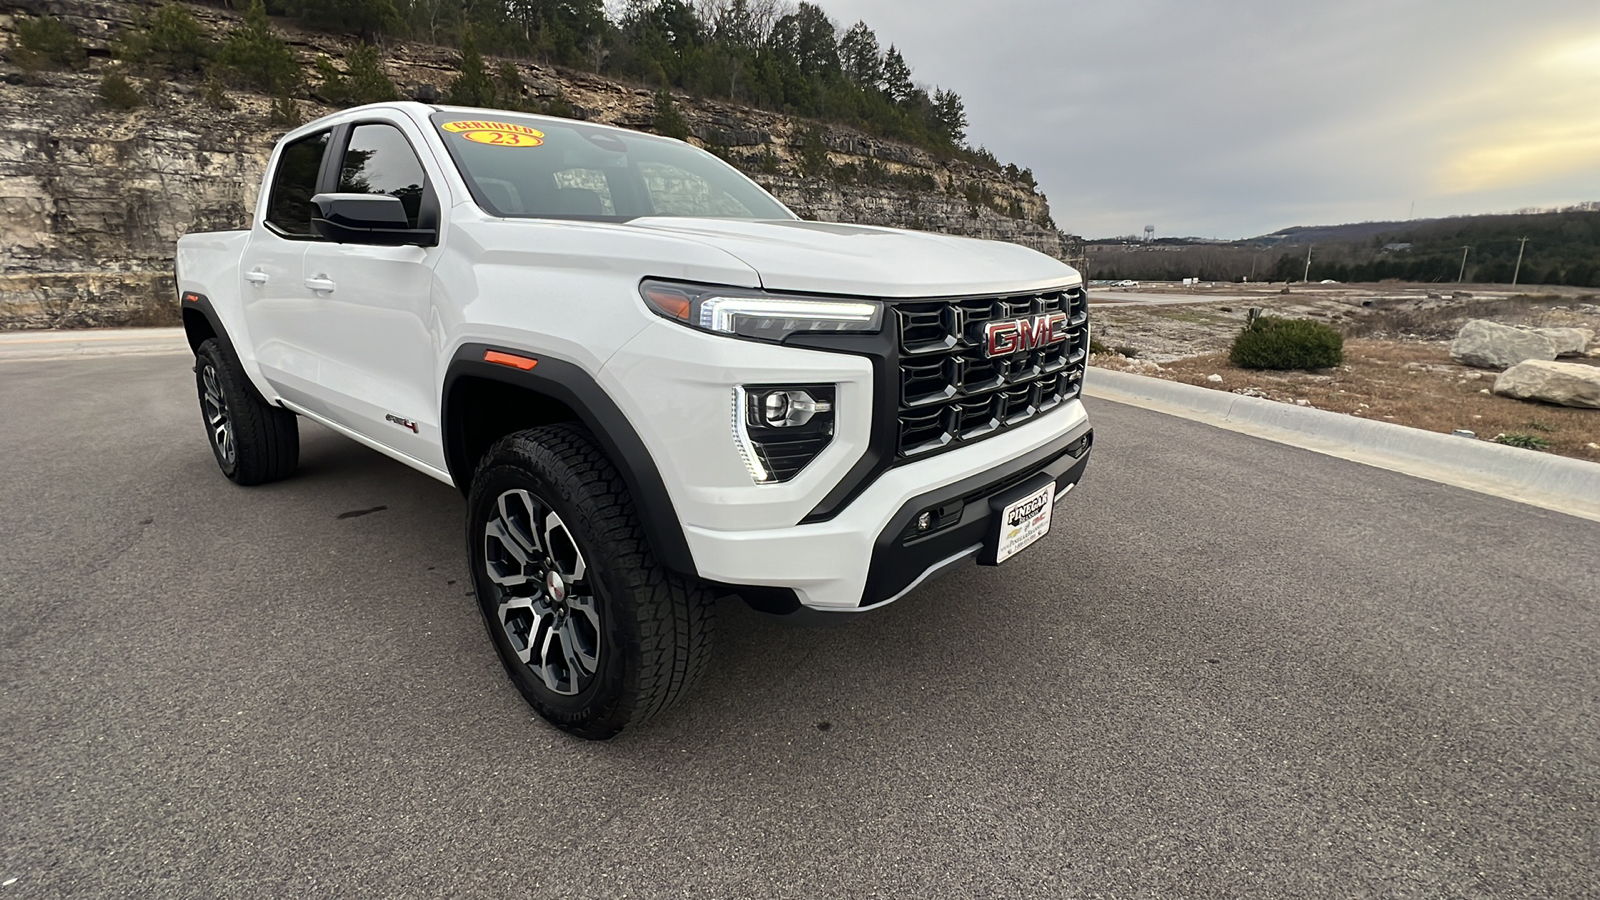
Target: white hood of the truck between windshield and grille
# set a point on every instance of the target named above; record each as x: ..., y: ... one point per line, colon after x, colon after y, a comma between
x: 870, y: 262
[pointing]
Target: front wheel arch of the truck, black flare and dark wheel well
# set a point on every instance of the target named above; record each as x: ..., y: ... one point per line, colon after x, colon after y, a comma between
x: 486, y: 401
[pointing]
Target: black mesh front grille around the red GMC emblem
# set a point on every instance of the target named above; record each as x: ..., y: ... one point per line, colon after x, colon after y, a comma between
x: 951, y: 393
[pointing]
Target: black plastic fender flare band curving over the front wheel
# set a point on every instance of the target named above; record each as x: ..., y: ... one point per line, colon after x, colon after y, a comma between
x: 578, y: 392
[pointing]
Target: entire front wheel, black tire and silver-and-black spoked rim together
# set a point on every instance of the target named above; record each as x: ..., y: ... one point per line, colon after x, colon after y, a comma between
x: 593, y: 630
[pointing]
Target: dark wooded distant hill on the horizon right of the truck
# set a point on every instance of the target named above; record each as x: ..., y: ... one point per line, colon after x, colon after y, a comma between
x: 1562, y: 249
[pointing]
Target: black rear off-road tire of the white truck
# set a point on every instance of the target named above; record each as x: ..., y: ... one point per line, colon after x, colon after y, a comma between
x: 265, y: 438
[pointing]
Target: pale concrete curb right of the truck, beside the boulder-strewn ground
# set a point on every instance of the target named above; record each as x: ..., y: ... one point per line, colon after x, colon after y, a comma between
x: 1527, y: 476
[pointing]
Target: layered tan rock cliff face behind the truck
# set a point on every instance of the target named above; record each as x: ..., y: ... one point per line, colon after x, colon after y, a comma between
x: 94, y: 199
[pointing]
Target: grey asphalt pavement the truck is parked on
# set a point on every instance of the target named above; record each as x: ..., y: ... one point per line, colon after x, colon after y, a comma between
x: 1233, y: 670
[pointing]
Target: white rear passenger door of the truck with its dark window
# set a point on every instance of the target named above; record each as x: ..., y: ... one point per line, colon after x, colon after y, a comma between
x: 274, y: 300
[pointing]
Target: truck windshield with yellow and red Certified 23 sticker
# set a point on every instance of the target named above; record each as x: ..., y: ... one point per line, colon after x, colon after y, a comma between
x: 524, y: 167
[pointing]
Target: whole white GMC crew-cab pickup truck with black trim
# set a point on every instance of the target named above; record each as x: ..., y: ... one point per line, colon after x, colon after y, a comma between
x: 650, y: 380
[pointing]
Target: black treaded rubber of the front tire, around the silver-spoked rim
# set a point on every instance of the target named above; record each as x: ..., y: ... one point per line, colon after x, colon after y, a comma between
x: 655, y: 627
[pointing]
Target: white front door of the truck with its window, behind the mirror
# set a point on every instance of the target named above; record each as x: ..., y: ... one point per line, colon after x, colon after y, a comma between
x: 377, y: 332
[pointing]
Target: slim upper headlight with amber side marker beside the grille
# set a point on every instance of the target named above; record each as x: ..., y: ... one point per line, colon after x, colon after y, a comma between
x: 758, y: 315
